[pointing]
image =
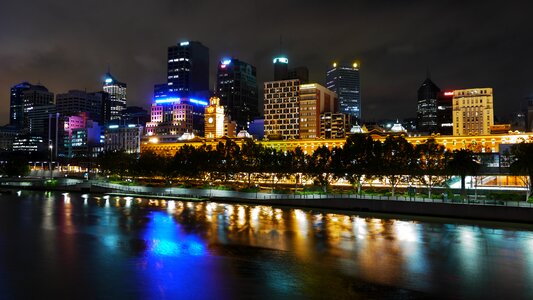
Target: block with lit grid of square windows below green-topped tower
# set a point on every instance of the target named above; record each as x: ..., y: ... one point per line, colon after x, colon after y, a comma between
x: 282, y: 109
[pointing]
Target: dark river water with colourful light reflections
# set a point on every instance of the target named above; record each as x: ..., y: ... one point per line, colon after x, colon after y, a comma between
x: 74, y: 246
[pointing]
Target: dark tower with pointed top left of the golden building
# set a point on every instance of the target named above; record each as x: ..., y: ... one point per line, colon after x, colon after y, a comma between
x: 427, y: 107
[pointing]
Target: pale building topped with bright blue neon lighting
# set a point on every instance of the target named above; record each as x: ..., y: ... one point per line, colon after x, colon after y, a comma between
x: 173, y: 116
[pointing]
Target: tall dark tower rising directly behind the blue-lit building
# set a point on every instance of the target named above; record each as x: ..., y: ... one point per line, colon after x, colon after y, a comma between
x: 188, y: 69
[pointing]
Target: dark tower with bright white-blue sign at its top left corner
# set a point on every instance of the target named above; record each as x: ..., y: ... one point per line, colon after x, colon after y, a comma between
x: 237, y: 90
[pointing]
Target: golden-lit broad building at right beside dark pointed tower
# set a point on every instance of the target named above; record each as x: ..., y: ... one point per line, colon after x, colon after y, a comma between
x: 473, y: 111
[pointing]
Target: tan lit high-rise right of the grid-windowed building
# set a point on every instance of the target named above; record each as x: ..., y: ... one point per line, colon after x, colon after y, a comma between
x: 315, y: 99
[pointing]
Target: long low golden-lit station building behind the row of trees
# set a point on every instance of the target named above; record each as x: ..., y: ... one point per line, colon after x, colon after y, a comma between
x: 478, y: 143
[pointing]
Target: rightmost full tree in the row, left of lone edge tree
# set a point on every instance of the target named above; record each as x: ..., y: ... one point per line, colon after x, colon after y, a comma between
x: 431, y: 163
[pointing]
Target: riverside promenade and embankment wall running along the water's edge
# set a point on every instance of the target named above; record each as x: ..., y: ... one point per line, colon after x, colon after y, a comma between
x: 473, y: 208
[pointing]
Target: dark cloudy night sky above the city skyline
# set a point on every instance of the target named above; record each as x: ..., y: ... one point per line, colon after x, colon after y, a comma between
x: 66, y: 44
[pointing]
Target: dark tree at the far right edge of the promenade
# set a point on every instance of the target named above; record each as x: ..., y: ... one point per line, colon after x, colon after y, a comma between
x: 522, y: 163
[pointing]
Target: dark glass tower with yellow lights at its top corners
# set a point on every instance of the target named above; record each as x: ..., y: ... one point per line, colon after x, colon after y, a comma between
x: 345, y: 82
